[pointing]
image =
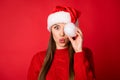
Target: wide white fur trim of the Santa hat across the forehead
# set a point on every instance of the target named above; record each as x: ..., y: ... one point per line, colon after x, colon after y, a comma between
x: 58, y: 17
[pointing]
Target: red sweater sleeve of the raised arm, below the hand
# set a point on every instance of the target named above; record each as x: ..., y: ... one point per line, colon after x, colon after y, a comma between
x: 81, y: 67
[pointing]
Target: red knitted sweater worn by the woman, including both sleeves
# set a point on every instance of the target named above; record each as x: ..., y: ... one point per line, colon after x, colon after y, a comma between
x: 59, y: 69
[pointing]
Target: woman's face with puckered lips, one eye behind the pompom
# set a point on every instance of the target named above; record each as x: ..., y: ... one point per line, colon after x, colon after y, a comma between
x: 59, y: 36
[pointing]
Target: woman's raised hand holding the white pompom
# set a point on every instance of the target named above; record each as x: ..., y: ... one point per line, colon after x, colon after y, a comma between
x: 77, y: 42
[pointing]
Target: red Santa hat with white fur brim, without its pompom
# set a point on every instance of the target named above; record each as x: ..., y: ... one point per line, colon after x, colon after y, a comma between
x: 63, y: 15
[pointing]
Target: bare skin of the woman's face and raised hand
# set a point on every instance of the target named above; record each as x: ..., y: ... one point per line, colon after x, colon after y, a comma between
x: 58, y: 34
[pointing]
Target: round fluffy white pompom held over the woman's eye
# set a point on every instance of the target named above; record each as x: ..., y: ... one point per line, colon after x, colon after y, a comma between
x: 70, y: 29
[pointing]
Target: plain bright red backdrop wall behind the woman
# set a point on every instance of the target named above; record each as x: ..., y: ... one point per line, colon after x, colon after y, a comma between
x: 23, y: 32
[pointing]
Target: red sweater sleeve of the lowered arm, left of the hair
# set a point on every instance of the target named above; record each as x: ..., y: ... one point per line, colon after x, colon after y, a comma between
x: 35, y: 67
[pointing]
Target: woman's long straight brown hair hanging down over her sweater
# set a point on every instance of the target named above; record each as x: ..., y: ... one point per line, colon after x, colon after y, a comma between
x: 49, y: 58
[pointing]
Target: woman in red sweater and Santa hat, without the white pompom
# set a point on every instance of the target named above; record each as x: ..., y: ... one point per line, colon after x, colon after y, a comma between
x: 65, y: 57
